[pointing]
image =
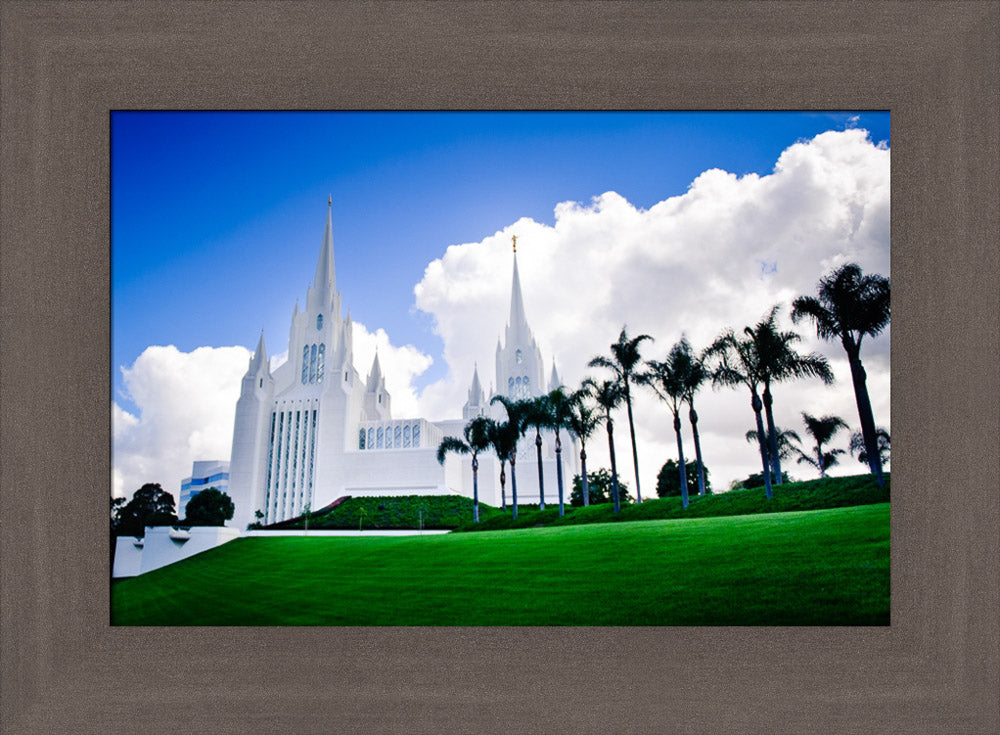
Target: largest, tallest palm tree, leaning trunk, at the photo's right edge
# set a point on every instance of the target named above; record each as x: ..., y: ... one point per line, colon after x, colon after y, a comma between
x: 849, y: 306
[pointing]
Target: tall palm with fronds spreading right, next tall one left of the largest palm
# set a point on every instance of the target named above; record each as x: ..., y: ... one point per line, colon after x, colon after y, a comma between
x: 779, y: 361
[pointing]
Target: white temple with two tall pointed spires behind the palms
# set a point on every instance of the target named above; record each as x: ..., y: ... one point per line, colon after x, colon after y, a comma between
x: 315, y: 430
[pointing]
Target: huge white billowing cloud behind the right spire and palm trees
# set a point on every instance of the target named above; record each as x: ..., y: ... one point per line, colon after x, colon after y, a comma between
x: 719, y: 255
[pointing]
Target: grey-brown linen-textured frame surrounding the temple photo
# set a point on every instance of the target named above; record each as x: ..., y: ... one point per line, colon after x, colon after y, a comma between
x: 934, y: 65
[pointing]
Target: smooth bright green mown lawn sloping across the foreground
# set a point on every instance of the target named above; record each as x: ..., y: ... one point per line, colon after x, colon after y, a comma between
x: 822, y: 567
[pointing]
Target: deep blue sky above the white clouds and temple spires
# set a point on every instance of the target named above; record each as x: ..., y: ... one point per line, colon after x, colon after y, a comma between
x: 217, y: 217
